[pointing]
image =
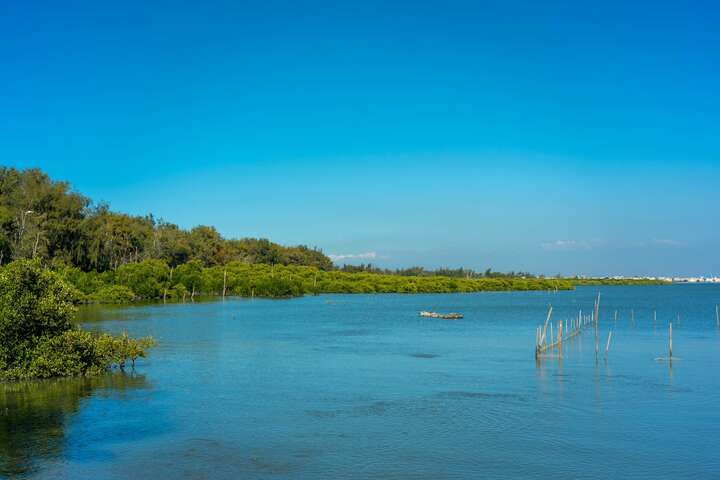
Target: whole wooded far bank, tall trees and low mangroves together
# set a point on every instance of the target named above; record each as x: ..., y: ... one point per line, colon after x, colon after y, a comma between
x: 112, y: 257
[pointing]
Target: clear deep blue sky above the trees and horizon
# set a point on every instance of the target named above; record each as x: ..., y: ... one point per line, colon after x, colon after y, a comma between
x: 573, y: 137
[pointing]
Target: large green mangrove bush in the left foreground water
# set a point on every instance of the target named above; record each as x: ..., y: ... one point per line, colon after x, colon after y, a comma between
x: 37, y: 336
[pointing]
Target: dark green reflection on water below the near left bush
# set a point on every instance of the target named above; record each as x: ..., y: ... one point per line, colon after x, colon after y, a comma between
x: 35, y: 414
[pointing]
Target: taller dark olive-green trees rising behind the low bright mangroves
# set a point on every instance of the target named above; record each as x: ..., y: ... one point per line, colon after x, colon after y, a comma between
x: 43, y: 218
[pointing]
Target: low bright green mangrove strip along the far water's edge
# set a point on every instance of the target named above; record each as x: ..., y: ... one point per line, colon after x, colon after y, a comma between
x: 156, y: 280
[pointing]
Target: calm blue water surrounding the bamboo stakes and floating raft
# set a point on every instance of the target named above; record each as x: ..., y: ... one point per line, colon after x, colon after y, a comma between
x: 360, y: 387
